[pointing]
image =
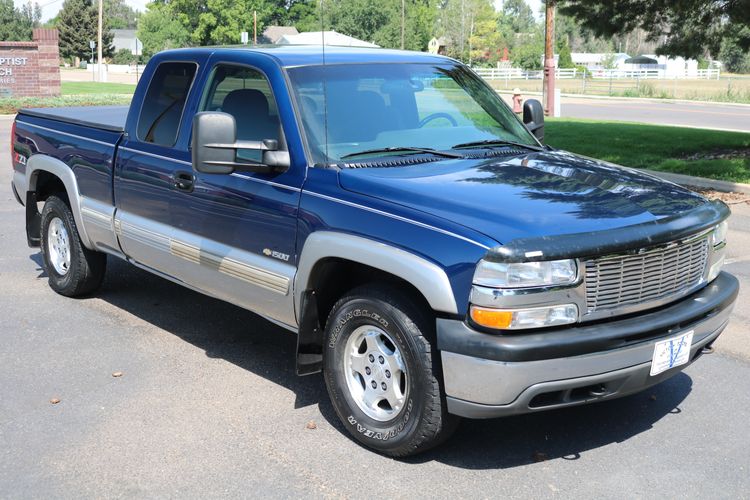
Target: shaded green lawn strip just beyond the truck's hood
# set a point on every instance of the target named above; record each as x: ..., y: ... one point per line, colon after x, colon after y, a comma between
x: 654, y: 147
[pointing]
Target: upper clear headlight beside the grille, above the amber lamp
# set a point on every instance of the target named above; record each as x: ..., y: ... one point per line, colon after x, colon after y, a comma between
x: 526, y: 274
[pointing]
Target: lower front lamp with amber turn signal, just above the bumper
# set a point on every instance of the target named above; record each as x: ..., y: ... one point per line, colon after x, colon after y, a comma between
x: 518, y: 319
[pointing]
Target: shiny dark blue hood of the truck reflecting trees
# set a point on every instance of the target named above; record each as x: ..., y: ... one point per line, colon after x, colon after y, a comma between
x: 539, y: 194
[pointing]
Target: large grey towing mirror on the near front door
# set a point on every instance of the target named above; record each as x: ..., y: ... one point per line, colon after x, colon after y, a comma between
x: 215, y: 147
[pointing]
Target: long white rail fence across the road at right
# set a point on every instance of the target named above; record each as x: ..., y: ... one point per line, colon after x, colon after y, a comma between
x: 607, y: 74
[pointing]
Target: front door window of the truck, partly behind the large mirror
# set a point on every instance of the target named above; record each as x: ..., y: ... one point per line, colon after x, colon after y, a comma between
x: 245, y: 94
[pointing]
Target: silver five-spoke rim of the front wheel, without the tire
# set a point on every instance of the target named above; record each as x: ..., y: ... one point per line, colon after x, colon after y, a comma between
x: 375, y: 373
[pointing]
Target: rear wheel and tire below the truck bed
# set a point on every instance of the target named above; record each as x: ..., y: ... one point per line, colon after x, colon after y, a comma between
x: 73, y: 269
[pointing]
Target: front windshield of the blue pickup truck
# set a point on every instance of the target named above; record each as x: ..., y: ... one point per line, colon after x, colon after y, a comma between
x: 391, y: 106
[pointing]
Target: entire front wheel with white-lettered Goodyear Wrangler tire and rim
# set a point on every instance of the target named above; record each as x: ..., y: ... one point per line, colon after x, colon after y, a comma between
x: 380, y: 371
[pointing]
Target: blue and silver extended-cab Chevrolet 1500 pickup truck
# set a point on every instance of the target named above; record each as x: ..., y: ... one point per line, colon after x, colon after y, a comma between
x: 434, y: 258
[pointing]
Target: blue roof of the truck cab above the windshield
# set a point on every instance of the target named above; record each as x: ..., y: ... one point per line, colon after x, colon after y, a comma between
x: 303, y: 55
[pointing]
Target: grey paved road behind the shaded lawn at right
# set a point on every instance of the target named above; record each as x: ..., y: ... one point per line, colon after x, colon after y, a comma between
x: 719, y: 116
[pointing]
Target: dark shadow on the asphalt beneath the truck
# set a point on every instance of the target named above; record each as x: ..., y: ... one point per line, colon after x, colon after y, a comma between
x: 254, y: 344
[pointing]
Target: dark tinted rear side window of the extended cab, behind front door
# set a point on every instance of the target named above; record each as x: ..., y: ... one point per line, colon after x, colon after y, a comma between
x: 162, y: 108
